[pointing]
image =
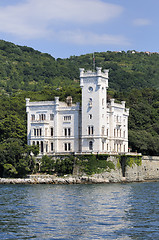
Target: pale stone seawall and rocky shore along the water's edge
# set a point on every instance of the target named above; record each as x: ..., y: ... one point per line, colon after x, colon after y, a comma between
x: 147, y: 171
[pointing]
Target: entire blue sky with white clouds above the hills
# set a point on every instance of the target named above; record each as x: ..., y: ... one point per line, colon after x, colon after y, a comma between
x: 65, y: 28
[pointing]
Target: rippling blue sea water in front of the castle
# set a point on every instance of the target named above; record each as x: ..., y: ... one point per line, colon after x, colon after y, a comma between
x: 97, y: 211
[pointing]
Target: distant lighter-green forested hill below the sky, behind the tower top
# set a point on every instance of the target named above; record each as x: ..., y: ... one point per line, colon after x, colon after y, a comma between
x: 23, y: 68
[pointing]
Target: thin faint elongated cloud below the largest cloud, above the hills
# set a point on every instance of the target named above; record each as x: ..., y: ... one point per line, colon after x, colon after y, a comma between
x: 89, y: 38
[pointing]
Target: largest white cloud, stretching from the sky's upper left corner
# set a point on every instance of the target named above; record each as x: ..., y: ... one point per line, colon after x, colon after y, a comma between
x: 42, y: 18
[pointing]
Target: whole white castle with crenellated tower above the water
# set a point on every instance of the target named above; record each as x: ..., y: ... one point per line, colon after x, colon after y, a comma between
x: 98, y: 126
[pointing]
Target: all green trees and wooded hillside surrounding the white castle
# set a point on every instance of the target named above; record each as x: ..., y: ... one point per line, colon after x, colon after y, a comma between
x: 24, y: 72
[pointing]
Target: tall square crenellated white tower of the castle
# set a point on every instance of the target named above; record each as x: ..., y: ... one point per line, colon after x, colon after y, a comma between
x: 94, y: 110
